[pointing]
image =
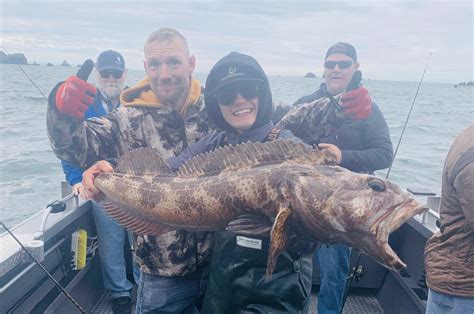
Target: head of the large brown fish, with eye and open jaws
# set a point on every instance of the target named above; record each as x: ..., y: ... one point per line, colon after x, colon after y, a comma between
x: 359, y: 210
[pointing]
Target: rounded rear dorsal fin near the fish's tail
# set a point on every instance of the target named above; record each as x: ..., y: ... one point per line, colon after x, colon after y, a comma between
x: 143, y: 161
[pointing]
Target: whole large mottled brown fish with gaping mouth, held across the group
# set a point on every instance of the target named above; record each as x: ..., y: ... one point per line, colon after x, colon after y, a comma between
x: 295, y: 191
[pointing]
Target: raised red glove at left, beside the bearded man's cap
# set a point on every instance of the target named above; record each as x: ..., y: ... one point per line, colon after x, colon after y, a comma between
x: 74, y: 96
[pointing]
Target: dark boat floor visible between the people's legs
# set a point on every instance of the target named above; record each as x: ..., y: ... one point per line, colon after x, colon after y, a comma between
x: 358, y: 302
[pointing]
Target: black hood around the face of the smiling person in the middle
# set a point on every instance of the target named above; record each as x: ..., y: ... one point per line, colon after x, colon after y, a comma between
x: 238, y: 63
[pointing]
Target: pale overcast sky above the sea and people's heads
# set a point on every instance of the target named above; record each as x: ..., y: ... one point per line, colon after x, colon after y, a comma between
x: 393, y: 38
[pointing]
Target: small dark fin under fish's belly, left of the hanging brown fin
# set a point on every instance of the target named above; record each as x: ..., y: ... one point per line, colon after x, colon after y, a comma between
x: 250, y: 224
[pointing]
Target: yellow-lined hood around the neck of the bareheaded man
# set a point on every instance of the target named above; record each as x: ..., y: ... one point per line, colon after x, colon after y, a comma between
x: 142, y: 95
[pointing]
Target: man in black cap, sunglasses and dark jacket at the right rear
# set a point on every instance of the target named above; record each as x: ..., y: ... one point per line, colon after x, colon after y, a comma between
x: 341, y: 118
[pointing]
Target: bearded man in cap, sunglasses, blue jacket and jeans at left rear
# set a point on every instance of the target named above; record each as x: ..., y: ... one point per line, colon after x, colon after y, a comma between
x: 111, y: 74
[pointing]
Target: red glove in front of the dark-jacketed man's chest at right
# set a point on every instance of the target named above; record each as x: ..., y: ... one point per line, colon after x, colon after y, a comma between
x: 357, y: 103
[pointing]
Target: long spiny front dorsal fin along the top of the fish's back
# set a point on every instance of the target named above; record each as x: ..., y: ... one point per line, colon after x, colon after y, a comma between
x: 252, y: 154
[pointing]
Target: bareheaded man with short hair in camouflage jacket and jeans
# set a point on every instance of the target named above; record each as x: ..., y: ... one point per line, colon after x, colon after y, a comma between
x: 165, y: 111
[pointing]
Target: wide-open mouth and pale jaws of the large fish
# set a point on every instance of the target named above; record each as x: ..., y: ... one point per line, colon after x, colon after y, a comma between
x: 396, y: 216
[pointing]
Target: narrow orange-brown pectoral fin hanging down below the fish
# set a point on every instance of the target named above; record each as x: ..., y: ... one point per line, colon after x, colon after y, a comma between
x: 278, y: 238
